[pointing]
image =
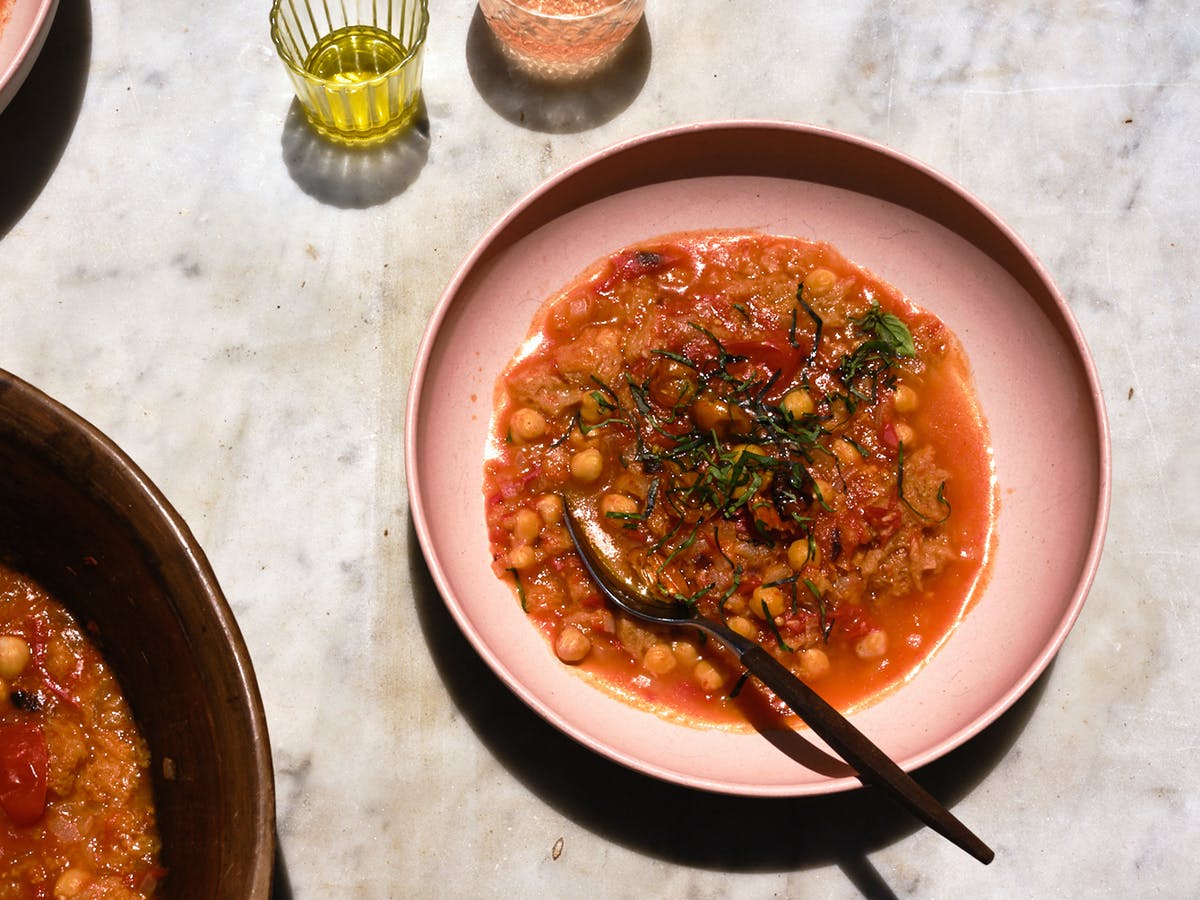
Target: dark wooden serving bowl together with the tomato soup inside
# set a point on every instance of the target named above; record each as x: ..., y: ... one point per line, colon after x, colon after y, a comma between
x: 135, y: 752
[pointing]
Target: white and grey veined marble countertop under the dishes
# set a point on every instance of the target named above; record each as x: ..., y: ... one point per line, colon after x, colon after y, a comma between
x: 239, y: 305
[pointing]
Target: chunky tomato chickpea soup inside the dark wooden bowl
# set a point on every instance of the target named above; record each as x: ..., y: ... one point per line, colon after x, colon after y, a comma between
x: 76, y: 812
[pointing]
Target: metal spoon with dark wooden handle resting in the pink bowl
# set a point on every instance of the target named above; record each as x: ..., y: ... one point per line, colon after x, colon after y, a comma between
x: 859, y: 752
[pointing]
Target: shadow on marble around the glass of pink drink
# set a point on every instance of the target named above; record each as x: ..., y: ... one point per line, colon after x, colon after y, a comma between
x: 551, y: 106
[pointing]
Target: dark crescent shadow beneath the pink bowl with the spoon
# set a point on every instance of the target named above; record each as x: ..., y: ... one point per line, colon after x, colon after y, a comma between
x: 597, y: 794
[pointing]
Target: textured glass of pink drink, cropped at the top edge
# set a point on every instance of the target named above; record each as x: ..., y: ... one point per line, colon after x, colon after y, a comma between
x: 562, y: 39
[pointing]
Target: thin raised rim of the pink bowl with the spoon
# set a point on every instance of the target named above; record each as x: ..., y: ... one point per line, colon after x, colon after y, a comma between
x: 530, y: 213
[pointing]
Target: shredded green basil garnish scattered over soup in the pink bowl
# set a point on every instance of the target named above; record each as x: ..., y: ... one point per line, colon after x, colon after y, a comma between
x: 755, y: 469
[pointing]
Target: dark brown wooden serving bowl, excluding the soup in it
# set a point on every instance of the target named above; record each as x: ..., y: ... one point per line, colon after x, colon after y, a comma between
x: 77, y: 515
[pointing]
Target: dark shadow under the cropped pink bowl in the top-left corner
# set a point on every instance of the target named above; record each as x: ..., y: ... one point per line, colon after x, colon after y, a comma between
x: 38, y: 123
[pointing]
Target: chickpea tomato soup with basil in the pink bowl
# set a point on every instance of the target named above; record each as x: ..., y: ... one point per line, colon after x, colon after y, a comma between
x: 764, y: 430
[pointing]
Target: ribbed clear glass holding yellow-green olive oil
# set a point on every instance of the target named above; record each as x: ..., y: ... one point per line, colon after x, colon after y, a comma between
x: 356, y: 64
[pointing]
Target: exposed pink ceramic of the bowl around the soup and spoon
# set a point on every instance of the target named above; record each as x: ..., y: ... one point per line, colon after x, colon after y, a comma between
x: 914, y: 229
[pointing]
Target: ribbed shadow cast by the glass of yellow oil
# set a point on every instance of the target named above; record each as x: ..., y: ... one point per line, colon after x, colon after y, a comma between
x: 351, y: 177
